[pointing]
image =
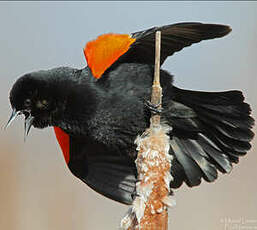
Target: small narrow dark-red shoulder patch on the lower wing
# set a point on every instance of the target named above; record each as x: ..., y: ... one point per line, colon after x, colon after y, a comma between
x: 64, y: 142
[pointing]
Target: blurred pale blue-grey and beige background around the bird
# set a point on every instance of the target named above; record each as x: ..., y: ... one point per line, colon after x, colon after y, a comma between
x: 37, y: 190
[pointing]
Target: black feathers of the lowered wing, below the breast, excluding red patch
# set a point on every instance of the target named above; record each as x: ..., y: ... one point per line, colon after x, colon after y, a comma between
x: 110, y: 174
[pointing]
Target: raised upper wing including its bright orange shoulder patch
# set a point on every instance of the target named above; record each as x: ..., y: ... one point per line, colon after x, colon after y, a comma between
x: 139, y: 47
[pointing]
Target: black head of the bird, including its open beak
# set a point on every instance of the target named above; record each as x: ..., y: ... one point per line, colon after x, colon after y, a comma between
x: 41, y: 97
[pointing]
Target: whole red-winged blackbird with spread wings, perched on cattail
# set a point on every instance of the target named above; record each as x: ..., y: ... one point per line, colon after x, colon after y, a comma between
x: 98, y: 111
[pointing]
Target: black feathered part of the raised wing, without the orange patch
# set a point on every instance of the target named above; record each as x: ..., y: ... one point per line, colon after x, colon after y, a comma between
x: 173, y: 39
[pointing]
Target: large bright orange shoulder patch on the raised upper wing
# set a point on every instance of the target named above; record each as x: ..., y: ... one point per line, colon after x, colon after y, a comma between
x: 105, y: 50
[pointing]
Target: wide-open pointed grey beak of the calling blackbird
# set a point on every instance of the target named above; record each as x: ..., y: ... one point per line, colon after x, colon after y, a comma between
x: 28, y: 121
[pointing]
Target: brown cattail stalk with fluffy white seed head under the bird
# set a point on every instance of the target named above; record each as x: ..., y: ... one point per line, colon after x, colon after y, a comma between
x: 149, y: 209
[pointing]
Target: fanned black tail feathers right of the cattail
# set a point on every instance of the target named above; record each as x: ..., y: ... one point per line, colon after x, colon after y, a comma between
x: 210, y: 132
